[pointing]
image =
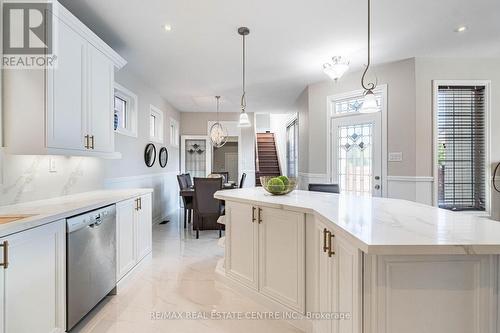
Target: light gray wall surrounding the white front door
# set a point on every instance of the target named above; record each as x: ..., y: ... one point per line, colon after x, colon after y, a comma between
x: 400, y: 79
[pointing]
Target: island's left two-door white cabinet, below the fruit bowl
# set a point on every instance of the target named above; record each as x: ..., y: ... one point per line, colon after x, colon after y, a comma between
x: 265, y: 251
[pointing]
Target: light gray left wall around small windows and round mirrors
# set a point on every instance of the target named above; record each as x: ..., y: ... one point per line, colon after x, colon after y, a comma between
x: 130, y: 170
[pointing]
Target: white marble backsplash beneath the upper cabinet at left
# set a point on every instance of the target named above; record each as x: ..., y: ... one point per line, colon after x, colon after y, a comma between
x: 27, y: 177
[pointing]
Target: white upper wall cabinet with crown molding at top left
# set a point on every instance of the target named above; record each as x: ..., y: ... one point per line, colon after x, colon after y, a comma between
x: 65, y: 109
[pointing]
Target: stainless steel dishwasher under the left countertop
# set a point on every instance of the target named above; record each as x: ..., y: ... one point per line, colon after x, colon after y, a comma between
x: 90, y: 261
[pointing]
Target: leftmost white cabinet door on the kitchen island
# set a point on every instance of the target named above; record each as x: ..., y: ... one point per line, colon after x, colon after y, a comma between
x: 242, y: 244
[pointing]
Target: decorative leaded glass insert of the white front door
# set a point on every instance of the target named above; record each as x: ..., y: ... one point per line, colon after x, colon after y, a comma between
x: 355, y: 158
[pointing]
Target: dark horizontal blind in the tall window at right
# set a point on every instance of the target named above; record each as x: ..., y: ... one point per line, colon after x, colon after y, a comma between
x: 461, y: 147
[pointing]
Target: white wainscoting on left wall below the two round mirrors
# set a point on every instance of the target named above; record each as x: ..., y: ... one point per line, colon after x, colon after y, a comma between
x: 165, y: 195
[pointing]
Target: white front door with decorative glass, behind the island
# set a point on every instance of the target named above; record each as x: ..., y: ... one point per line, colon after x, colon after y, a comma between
x: 356, y: 153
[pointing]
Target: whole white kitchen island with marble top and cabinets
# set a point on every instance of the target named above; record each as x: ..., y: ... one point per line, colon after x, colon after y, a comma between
x: 372, y: 265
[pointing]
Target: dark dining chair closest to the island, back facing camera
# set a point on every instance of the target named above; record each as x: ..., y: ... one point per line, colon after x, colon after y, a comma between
x: 207, y: 209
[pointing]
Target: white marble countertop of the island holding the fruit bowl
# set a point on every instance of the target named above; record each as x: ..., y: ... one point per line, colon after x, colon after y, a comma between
x: 385, y: 226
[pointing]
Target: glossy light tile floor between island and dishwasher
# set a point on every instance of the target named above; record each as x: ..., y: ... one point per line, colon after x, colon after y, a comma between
x: 179, y: 276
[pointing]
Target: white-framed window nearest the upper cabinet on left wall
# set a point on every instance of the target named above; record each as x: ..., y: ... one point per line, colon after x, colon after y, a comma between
x: 125, y: 111
